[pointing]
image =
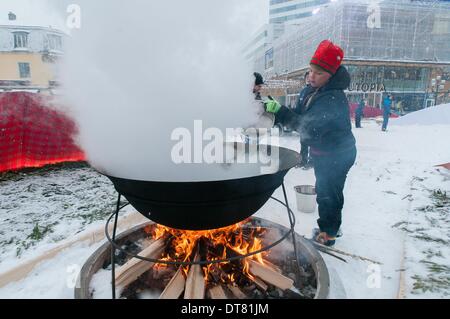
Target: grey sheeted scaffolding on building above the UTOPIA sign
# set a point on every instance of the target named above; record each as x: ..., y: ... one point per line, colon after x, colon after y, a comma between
x: 416, y: 31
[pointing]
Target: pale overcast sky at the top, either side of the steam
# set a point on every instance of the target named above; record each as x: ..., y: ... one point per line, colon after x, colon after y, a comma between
x: 53, y: 12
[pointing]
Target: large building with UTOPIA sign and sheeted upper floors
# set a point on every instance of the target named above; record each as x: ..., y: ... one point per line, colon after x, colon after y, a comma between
x: 392, y: 47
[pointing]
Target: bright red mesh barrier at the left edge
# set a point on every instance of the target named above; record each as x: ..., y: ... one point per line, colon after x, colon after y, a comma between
x: 32, y: 134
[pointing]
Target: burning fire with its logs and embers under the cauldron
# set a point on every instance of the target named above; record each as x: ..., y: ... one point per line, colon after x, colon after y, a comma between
x: 258, y: 276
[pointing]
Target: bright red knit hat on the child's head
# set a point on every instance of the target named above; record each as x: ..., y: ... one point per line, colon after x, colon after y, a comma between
x: 328, y: 56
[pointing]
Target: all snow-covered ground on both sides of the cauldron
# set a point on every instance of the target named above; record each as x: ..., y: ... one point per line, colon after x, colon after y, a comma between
x: 397, y: 212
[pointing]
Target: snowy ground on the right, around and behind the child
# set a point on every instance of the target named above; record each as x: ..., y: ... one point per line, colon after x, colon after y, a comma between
x: 383, y: 192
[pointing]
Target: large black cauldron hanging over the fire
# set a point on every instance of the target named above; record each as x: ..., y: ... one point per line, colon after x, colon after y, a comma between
x: 208, y: 204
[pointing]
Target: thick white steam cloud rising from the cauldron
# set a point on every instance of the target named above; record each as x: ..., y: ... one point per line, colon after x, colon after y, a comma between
x: 137, y: 70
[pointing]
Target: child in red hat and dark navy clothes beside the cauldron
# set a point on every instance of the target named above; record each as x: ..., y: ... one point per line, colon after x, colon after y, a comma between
x: 325, y: 125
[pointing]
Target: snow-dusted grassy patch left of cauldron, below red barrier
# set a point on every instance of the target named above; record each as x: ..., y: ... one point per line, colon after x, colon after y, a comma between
x: 43, y: 208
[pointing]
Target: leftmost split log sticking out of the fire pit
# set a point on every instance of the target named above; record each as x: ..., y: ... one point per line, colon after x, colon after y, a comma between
x: 135, y: 267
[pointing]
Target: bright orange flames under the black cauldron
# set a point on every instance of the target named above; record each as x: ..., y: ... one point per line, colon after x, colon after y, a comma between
x: 216, y: 244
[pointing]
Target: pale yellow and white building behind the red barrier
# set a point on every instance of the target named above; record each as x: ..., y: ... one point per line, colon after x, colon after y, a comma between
x: 28, y: 55
